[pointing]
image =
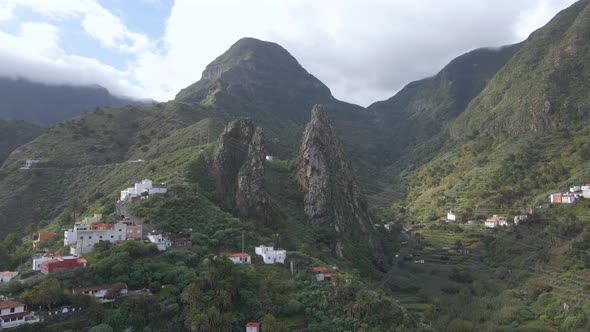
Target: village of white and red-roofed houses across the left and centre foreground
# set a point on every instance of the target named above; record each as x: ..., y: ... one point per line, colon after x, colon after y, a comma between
x: 81, y: 238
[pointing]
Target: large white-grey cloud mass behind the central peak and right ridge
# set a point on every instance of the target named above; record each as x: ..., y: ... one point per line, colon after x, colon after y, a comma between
x: 362, y: 52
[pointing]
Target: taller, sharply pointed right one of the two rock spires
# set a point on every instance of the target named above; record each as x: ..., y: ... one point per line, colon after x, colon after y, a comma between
x: 332, y: 196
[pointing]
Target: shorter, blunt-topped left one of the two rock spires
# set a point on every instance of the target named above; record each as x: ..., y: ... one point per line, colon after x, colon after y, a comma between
x: 237, y: 171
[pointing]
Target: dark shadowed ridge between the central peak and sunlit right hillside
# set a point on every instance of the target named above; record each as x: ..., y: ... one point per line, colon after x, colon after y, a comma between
x: 422, y: 109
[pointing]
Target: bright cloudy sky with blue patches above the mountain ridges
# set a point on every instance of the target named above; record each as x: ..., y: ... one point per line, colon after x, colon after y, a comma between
x: 364, y: 51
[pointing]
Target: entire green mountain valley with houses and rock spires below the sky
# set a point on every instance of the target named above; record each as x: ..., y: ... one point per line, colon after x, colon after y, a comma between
x: 257, y: 197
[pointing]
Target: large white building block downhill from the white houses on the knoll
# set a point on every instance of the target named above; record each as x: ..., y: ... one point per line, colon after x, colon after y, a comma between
x: 84, y: 236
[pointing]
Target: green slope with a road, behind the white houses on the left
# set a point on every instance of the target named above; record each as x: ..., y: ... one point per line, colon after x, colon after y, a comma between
x: 91, y: 156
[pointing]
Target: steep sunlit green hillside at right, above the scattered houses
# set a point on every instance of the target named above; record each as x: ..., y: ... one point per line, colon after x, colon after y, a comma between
x: 524, y: 136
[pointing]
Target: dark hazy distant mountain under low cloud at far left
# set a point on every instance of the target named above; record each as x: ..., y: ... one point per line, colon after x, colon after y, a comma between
x: 49, y: 104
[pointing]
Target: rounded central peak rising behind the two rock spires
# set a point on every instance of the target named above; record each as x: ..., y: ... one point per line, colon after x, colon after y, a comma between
x: 261, y: 80
